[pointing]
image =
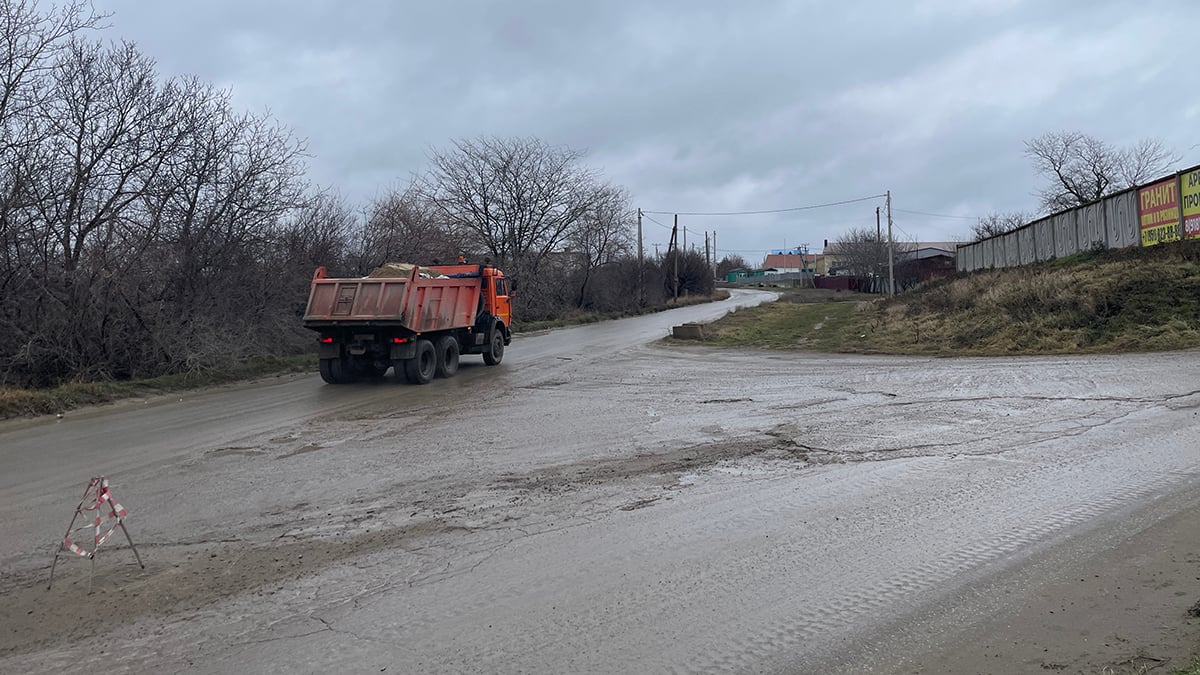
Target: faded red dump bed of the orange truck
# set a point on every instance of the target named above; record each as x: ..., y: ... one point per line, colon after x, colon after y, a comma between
x: 418, y: 303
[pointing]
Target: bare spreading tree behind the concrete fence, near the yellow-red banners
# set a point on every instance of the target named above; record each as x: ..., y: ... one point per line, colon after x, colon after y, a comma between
x: 1081, y: 169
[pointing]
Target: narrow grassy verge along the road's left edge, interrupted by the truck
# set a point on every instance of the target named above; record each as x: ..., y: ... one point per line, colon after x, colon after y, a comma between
x: 17, y: 402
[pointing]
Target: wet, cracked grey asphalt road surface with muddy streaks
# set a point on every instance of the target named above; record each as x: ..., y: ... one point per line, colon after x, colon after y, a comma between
x: 601, y: 503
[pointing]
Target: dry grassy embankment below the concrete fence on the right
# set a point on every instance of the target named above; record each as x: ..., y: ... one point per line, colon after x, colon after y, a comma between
x: 1136, y: 300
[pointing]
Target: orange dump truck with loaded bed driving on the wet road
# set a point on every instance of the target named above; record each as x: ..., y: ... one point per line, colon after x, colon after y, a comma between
x: 416, y: 319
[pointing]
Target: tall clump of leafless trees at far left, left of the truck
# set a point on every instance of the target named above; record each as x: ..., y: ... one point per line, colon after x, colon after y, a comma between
x: 142, y: 222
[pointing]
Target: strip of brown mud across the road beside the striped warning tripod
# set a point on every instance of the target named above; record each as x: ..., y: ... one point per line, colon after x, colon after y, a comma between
x: 188, y: 576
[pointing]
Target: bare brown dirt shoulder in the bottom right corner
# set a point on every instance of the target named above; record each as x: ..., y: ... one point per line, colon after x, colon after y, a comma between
x: 1124, y: 611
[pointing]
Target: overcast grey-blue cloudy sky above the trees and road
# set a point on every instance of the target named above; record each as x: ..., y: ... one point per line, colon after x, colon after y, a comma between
x: 706, y: 105
